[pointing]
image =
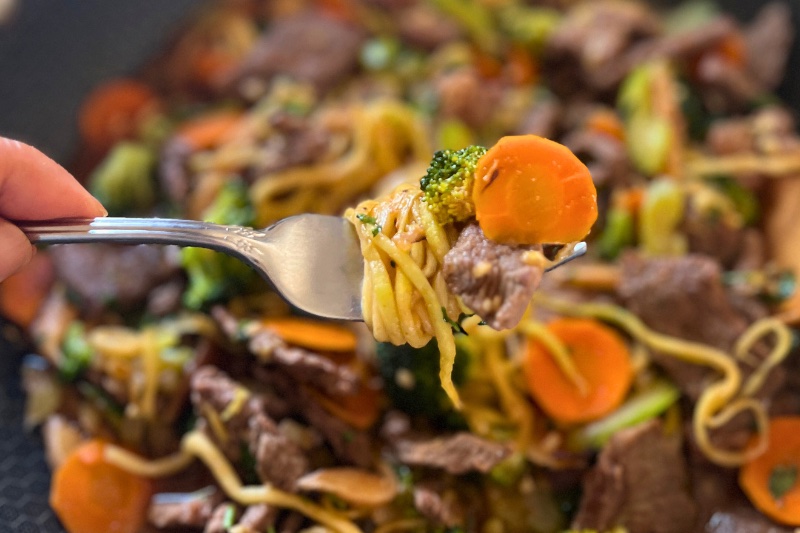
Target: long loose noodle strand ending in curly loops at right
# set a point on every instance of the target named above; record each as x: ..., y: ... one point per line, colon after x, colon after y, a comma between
x: 720, y: 401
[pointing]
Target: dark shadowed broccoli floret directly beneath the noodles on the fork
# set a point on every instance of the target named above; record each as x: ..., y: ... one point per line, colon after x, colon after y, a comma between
x: 411, y: 379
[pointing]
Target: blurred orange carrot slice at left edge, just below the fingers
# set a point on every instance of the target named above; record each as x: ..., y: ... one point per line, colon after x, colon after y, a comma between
x: 22, y: 294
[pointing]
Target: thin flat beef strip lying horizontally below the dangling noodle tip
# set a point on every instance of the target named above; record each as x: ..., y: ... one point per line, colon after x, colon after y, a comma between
x: 456, y: 454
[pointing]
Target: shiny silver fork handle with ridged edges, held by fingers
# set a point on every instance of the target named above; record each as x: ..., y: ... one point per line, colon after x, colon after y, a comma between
x: 131, y: 231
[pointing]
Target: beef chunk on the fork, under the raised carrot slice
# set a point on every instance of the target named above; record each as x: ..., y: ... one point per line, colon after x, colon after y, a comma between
x: 495, y: 280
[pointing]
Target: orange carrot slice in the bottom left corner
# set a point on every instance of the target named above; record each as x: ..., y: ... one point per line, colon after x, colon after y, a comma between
x: 90, y: 495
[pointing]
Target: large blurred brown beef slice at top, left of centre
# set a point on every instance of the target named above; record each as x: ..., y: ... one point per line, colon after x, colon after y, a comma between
x: 307, y: 47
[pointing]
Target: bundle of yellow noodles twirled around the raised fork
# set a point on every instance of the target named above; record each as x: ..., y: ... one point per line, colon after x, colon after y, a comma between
x: 404, y: 296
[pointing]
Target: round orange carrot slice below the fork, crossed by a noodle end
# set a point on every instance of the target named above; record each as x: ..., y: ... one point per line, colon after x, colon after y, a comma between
x: 600, y: 357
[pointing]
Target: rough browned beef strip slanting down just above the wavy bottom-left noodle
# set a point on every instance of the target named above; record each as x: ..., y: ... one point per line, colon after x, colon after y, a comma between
x: 278, y: 460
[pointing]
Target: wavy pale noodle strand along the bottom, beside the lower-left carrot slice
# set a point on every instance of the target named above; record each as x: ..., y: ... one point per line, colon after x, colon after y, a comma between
x: 197, y: 445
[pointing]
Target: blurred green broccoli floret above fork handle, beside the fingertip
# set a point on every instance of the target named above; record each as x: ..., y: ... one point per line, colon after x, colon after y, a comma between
x: 124, y: 181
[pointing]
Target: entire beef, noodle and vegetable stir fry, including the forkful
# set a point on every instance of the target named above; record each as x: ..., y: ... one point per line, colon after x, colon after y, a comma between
x: 650, y: 386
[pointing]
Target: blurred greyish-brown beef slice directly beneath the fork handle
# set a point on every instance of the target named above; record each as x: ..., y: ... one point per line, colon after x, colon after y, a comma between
x: 120, y: 276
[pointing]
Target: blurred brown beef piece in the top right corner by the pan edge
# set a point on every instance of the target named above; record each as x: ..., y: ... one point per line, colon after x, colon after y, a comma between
x: 769, y: 40
